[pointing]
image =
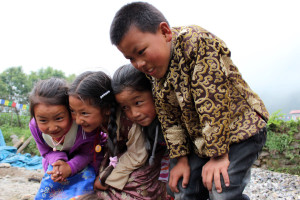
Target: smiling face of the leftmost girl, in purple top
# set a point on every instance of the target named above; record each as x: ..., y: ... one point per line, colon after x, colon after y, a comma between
x: 53, y: 120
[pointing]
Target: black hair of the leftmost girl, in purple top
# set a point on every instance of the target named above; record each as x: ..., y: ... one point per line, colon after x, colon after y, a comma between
x: 53, y: 91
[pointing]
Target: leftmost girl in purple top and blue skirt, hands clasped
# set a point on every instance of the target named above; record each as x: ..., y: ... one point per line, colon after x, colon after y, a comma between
x: 66, y: 148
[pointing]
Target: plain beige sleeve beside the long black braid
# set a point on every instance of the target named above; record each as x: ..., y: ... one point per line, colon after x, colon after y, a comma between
x: 135, y: 157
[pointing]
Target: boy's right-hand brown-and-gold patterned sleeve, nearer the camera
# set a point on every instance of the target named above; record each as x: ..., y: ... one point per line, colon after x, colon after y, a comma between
x: 210, y: 91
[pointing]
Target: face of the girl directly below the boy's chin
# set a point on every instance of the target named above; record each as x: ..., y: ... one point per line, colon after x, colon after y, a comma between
x: 138, y: 106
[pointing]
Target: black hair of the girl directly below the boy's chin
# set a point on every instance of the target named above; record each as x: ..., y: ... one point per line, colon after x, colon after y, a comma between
x: 127, y: 76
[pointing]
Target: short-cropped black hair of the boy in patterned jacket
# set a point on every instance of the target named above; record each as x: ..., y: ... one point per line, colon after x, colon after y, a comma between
x: 140, y: 14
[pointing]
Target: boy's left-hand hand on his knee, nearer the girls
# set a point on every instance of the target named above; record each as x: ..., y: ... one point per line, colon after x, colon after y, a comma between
x: 181, y: 169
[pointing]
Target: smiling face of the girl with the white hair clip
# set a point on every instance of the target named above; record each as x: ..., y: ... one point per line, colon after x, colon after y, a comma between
x: 86, y: 115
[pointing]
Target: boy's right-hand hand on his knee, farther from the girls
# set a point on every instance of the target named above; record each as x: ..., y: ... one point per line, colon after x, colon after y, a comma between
x: 212, y: 170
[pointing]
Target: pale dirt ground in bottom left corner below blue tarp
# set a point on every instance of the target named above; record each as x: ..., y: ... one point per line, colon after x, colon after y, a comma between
x: 18, y: 183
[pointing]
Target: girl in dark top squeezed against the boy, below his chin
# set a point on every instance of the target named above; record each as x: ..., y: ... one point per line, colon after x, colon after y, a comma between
x: 133, y: 92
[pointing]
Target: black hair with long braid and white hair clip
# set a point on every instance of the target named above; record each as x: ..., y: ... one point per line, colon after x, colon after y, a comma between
x: 95, y: 88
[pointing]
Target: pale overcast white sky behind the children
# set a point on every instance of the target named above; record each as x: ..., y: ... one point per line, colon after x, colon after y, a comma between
x: 73, y: 36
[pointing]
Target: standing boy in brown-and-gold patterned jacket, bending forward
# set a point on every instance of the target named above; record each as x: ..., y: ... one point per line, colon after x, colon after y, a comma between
x: 214, y: 124
